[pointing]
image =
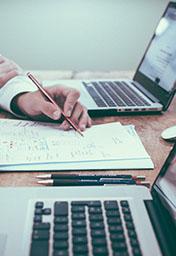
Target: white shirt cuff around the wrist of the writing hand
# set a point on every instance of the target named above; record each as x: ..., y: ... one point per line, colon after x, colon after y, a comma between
x: 14, y: 86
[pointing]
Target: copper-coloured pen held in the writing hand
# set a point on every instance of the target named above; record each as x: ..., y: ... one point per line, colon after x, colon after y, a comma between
x: 45, y: 93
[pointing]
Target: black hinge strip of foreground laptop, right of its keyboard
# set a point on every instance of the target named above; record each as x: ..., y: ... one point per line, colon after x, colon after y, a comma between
x: 165, y: 231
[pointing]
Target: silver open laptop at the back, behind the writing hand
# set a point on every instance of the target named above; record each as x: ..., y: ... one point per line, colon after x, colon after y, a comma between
x: 152, y: 87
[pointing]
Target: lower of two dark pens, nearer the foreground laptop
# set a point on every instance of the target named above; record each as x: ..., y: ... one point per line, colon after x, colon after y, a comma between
x: 67, y: 182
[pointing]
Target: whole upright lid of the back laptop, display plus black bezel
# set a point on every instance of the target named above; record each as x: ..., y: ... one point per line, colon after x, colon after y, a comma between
x: 157, y: 70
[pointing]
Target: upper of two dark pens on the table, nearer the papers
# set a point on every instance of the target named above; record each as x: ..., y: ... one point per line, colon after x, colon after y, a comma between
x: 90, y: 177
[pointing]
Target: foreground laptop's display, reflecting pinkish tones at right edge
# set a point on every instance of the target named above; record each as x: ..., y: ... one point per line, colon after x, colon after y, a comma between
x: 165, y: 184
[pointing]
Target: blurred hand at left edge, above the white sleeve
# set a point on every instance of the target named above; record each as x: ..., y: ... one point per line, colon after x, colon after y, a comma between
x: 8, y: 70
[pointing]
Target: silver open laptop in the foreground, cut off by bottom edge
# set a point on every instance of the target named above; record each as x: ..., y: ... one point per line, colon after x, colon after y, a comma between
x: 98, y: 220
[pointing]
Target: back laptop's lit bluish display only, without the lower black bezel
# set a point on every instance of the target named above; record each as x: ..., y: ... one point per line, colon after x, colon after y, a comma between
x: 159, y: 62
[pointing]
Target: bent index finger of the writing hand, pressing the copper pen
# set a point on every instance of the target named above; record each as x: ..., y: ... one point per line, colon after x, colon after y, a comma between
x: 70, y: 101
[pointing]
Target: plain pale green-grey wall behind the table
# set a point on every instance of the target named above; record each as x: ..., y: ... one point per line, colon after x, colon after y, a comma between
x: 77, y: 34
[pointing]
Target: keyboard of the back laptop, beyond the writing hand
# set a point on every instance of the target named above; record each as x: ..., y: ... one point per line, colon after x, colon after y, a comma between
x: 112, y: 94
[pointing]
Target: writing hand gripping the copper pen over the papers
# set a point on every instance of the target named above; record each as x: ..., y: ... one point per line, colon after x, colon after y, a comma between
x: 34, y: 104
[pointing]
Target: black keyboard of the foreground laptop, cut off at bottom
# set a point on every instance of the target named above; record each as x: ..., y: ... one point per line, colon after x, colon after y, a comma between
x: 84, y: 228
